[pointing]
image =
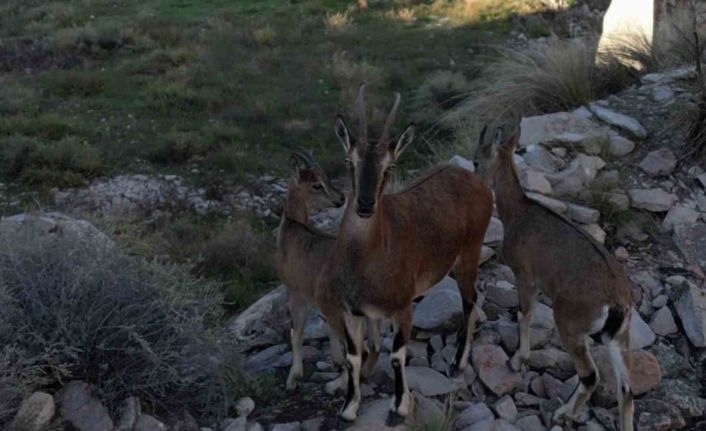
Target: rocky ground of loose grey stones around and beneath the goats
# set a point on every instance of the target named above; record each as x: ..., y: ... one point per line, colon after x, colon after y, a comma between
x: 613, y: 167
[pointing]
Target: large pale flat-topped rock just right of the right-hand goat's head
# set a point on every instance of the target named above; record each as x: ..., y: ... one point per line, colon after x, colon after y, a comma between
x: 563, y: 128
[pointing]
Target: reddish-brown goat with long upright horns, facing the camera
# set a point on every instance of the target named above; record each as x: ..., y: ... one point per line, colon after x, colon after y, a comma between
x: 392, y: 247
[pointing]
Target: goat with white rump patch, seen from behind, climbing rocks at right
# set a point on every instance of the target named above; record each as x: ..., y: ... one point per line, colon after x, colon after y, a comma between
x: 590, y: 292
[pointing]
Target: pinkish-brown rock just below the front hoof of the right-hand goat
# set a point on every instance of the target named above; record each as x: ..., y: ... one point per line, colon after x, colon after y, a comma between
x: 490, y: 361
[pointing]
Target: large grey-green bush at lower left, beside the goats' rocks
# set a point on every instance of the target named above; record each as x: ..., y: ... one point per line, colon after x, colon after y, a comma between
x: 76, y: 307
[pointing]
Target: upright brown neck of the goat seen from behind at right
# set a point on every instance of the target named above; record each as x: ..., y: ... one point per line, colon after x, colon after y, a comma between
x: 510, y: 196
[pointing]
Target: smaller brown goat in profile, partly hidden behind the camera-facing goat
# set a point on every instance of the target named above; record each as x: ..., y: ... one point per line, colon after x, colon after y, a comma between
x: 301, y: 254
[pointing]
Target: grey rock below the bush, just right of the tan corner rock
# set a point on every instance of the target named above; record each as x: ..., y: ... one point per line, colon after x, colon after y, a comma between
x: 80, y: 409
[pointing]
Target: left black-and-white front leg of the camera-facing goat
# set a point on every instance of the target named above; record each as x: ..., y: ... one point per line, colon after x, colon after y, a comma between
x: 354, y: 358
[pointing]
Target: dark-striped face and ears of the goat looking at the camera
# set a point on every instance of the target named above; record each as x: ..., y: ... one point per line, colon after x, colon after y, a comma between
x: 370, y: 164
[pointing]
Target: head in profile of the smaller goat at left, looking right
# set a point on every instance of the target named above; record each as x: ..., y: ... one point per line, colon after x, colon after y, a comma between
x: 314, y: 182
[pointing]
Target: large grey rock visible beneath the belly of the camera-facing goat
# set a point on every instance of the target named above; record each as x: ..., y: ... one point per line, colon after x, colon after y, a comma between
x: 440, y: 308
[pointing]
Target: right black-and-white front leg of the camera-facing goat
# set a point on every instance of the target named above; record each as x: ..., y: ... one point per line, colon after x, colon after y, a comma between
x: 401, y: 404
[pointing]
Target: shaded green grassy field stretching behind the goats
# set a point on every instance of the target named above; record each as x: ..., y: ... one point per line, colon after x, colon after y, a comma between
x: 134, y: 79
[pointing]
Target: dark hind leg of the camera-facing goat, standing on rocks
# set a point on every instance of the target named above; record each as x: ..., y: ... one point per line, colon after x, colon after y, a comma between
x: 466, y: 272
